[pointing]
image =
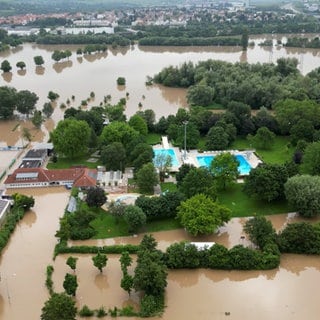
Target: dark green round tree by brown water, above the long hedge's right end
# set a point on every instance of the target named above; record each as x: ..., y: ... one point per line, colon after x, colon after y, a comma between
x: 260, y: 231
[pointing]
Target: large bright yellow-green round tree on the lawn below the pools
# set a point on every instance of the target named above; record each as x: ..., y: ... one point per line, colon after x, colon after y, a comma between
x: 200, y: 215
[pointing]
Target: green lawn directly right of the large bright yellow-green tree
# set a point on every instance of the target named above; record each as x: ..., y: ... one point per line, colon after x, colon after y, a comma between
x: 243, y: 206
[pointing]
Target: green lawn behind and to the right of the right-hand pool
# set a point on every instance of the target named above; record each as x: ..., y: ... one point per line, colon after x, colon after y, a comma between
x: 279, y: 153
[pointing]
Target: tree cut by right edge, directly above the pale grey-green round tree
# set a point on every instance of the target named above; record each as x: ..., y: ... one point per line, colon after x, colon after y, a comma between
x: 311, y: 159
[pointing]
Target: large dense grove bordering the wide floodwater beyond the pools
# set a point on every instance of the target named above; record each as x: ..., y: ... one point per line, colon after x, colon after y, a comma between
x: 257, y: 85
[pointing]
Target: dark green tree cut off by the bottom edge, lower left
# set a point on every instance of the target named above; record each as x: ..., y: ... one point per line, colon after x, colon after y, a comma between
x: 59, y: 306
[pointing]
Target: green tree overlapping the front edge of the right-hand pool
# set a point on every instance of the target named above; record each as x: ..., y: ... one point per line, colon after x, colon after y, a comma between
x: 224, y: 168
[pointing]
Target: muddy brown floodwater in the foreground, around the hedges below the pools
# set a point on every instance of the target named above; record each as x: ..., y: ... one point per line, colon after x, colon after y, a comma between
x: 286, y: 293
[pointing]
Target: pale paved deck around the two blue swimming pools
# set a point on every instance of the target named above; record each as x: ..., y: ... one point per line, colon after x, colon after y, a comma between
x: 190, y: 157
